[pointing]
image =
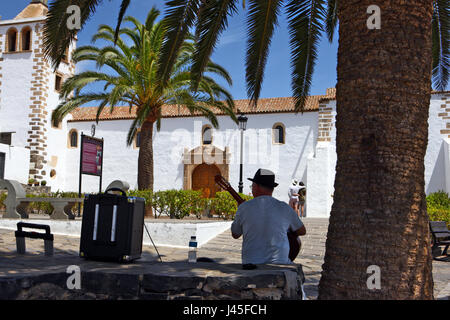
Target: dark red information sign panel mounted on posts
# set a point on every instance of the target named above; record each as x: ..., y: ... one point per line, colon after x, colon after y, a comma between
x: 91, y: 159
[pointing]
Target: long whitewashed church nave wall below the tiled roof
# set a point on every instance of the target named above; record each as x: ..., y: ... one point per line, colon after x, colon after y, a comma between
x: 120, y: 162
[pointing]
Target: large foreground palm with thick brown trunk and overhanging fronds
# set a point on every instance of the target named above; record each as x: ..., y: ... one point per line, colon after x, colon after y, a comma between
x: 383, y: 95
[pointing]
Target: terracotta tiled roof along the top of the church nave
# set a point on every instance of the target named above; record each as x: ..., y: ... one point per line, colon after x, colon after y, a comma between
x: 269, y: 105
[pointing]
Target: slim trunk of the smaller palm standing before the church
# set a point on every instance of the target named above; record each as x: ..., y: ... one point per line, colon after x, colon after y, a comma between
x: 145, y: 162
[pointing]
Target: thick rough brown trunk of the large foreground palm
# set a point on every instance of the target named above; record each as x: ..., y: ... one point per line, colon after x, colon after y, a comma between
x: 379, y: 213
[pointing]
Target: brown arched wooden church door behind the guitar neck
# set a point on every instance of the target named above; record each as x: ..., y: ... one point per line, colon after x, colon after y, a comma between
x: 203, y: 179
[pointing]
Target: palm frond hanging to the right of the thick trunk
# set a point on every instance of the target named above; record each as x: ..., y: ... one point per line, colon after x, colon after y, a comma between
x: 441, y: 44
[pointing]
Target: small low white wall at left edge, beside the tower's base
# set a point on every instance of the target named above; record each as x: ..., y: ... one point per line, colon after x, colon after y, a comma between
x: 17, y: 163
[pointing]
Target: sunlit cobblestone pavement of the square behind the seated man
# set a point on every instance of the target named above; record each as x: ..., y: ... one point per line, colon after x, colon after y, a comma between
x: 223, y: 249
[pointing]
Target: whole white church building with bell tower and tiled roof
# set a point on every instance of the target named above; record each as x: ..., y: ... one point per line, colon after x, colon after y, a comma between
x: 188, y: 152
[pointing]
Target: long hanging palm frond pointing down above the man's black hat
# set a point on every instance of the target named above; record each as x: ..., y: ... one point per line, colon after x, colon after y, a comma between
x: 261, y: 22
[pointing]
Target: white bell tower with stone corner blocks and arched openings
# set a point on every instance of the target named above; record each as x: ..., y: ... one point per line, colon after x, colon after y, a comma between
x: 29, y: 89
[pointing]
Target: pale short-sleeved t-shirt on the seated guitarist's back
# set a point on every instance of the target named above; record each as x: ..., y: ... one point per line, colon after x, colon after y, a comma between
x: 264, y: 223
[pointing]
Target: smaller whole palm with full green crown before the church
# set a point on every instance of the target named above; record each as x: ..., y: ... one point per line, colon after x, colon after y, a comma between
x: 132, y: 82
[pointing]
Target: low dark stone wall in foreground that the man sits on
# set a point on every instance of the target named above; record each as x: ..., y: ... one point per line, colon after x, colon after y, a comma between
x: 164, y: 281
